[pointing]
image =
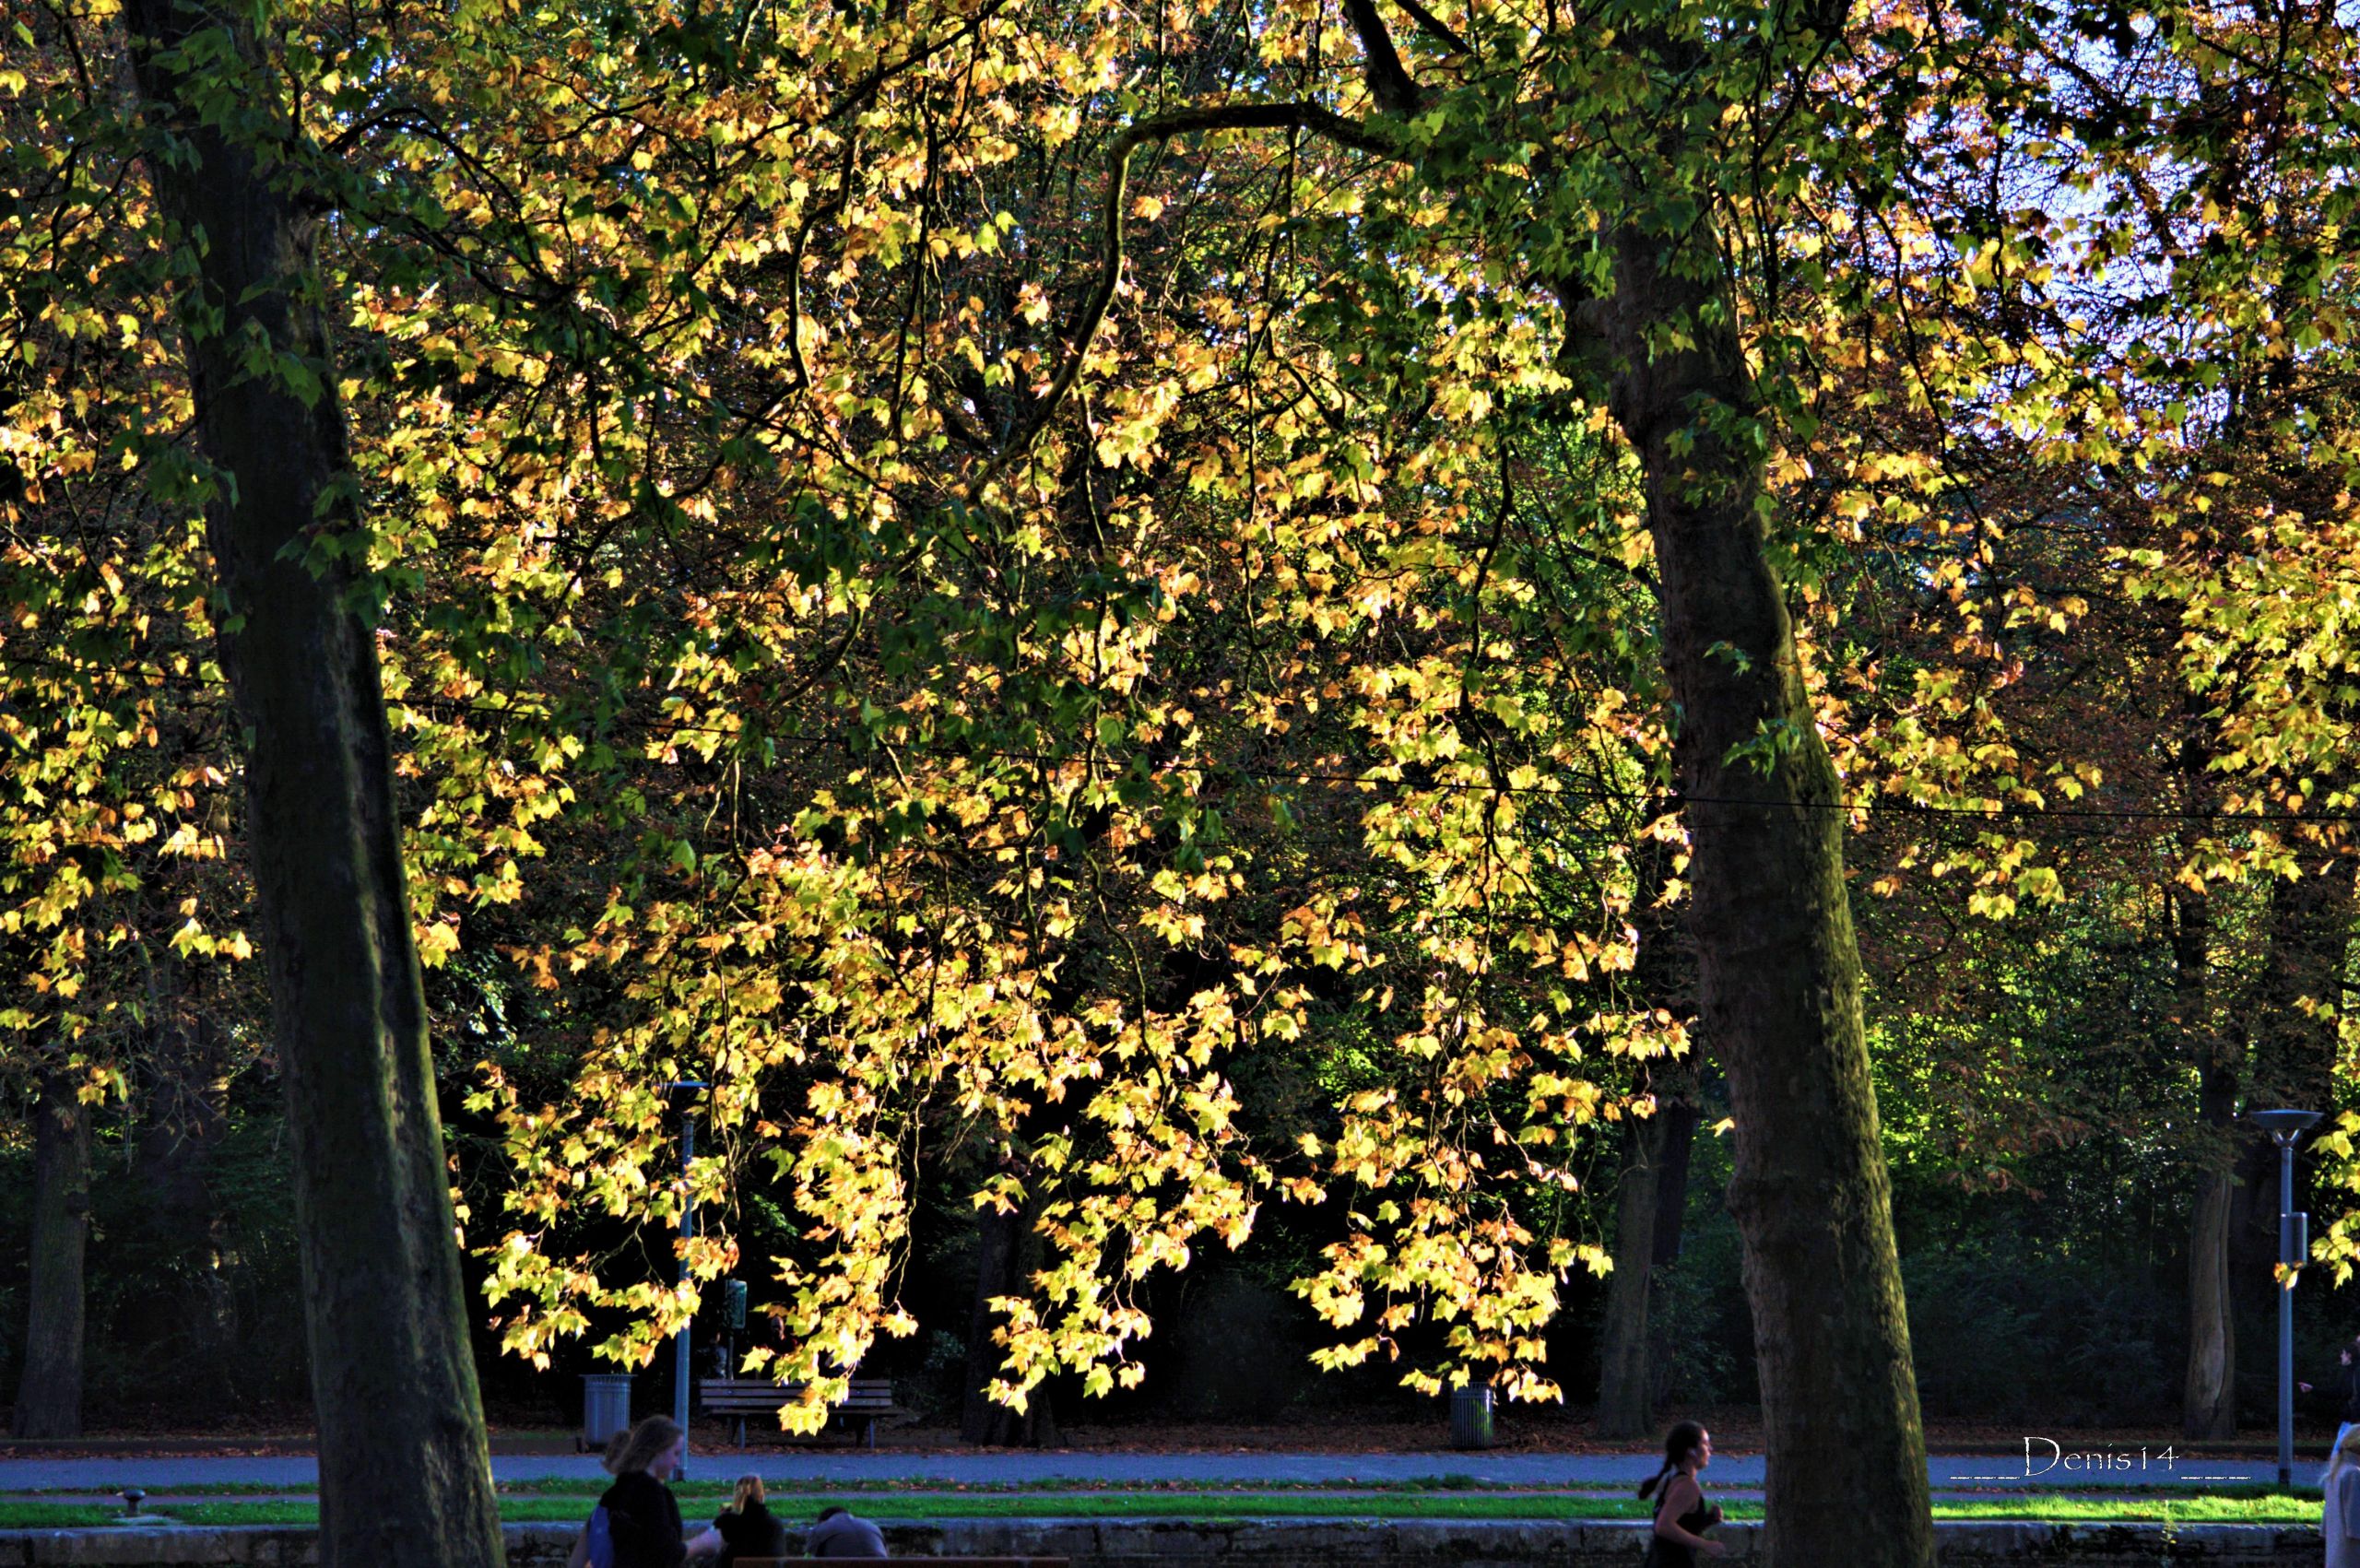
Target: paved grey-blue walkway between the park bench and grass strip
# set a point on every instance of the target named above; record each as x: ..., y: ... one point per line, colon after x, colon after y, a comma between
x: 2111, y: 1470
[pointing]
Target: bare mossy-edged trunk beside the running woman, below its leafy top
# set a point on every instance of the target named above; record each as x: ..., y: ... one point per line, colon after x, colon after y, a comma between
x: 1778, y: 967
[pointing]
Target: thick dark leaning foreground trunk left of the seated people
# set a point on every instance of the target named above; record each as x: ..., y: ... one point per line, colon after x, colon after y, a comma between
x: 405, y: 1475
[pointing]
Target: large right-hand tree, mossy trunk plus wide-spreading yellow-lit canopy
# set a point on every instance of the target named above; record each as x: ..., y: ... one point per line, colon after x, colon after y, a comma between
x: 1011, y: 561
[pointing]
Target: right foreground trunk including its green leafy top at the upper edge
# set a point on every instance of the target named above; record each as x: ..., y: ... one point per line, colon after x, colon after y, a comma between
x: 1656, y: 329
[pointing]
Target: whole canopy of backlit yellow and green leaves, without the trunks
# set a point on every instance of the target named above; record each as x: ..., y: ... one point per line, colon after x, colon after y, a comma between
x: 952, y: 570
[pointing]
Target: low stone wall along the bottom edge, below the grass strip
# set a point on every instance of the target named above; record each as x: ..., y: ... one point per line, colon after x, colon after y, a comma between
x: 1266, y: 1543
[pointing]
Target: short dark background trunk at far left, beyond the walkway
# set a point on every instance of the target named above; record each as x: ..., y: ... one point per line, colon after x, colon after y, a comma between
x: 51, y: 1392
